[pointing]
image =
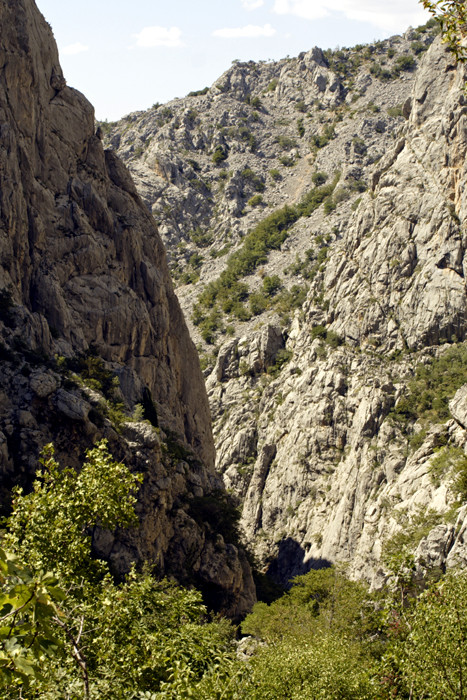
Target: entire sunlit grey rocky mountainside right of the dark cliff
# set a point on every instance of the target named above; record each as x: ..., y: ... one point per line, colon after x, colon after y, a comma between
x: 310, y: 402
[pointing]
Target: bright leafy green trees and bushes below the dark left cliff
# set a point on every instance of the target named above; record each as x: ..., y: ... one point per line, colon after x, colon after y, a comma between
x: 89, y: 637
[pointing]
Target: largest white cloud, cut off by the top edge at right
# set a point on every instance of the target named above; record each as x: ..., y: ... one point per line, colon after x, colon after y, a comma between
x: 393, y: 15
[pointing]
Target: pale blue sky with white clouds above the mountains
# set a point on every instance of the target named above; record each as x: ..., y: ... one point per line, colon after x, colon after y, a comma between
x: 126, y: 55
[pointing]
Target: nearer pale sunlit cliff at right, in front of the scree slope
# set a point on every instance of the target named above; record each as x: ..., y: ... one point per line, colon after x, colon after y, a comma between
x: 325, y: 471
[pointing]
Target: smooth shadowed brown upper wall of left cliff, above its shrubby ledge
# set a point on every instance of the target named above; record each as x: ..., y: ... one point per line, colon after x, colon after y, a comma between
x: 78, y: 249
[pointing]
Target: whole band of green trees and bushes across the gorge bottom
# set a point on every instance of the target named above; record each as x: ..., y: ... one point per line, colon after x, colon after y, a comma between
x: 70, y: 631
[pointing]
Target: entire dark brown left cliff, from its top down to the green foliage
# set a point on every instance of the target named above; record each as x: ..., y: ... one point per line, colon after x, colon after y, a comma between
x: 83, y: 275
